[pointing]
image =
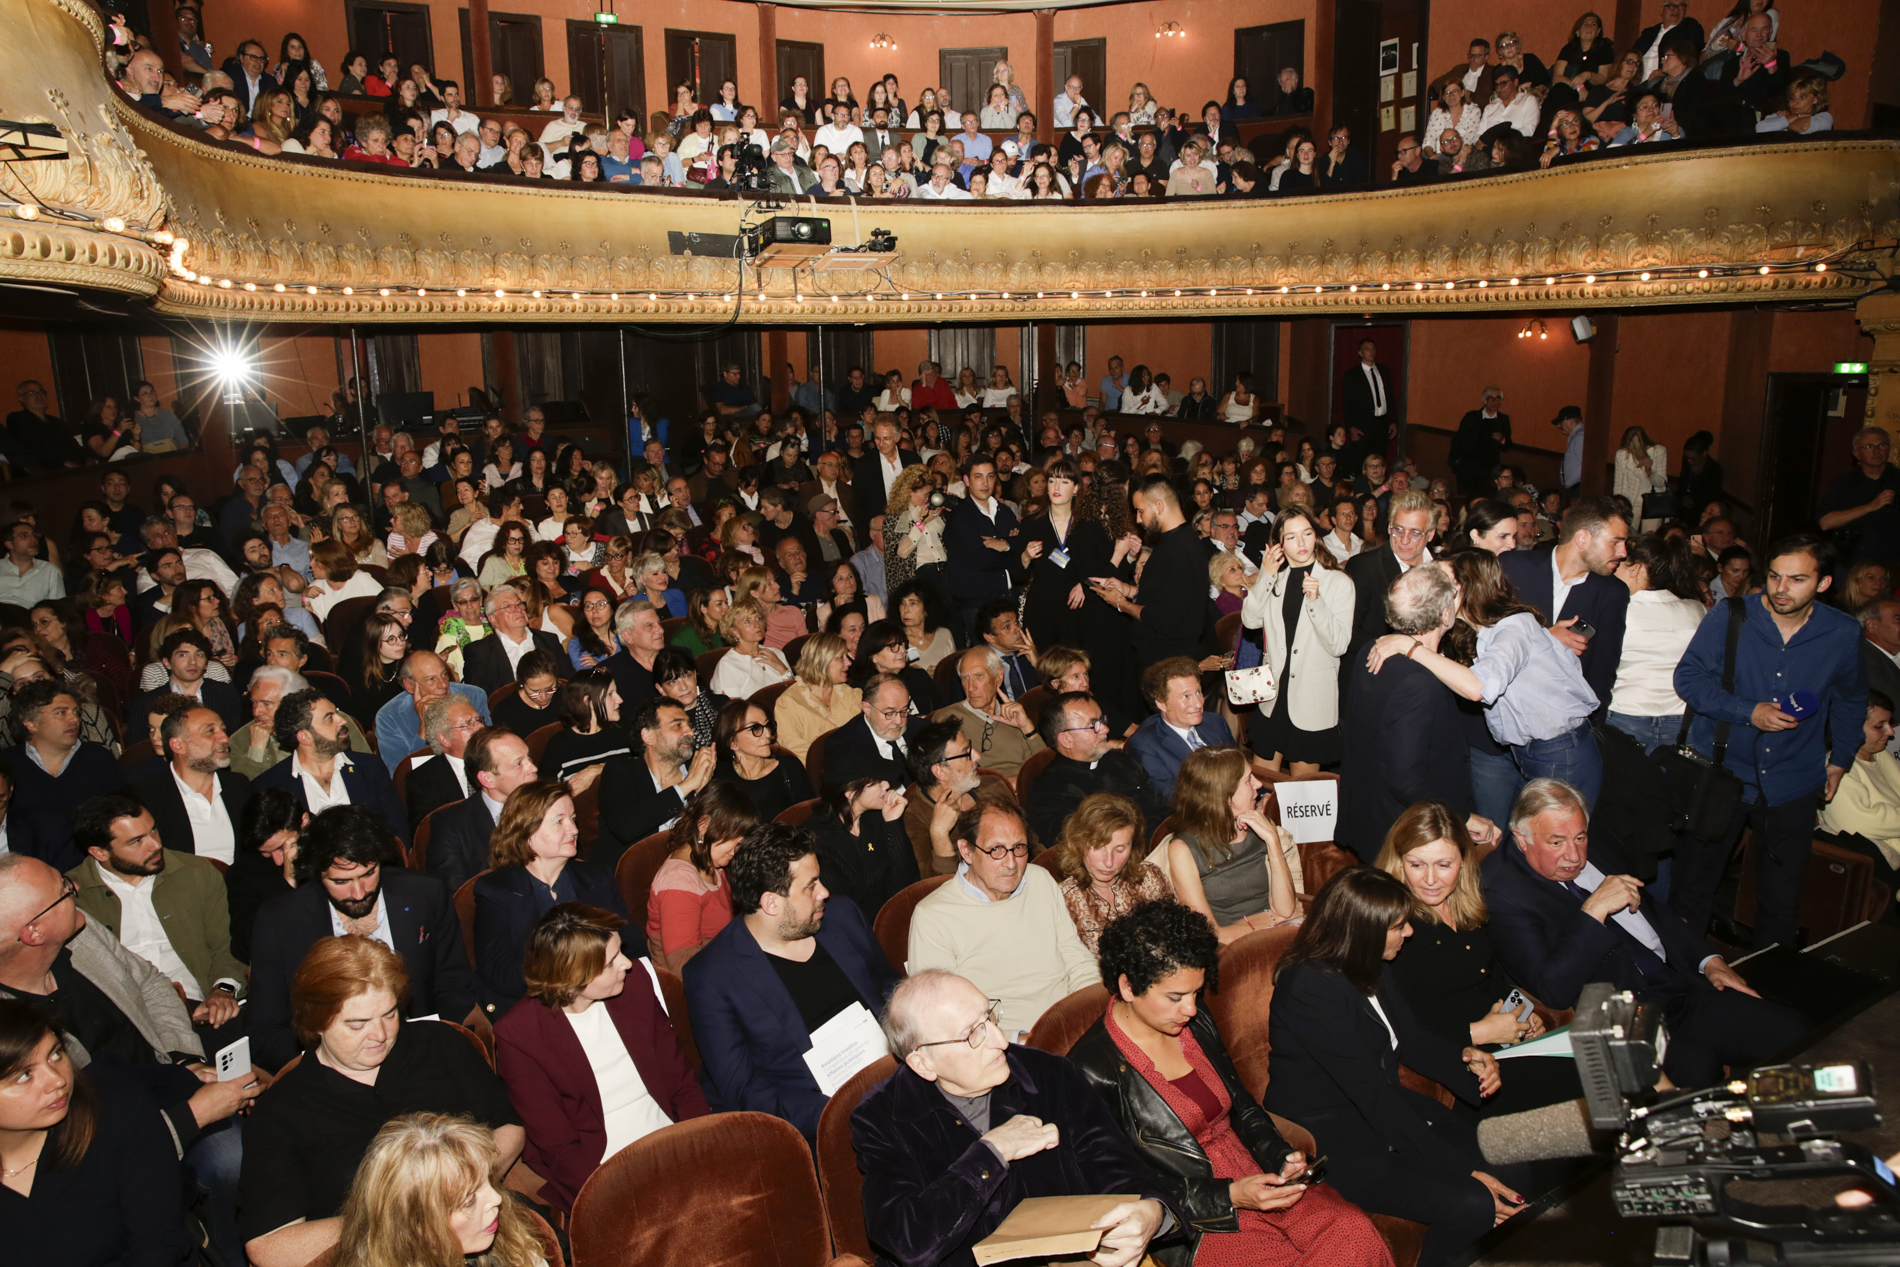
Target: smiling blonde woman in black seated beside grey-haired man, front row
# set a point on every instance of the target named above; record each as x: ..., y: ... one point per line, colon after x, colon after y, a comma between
x: 1451, y: 975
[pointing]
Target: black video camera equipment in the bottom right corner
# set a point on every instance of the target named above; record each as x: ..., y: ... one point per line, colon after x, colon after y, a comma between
x: 1681, y: 1152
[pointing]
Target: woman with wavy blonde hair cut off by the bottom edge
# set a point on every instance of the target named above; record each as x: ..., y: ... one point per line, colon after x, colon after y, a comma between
x: 425, y: 1196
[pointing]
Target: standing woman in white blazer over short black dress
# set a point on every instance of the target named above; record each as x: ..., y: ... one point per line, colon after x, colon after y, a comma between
x: 1304, y: 603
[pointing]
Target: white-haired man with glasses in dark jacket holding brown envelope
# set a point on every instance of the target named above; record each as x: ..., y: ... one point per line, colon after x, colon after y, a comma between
x: 940, y: 1139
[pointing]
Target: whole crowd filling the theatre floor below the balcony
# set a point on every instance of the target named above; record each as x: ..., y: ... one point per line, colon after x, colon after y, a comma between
x: 423, y: 810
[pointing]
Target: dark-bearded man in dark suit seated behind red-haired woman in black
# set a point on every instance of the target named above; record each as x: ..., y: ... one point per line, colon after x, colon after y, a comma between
x: 351, y: 880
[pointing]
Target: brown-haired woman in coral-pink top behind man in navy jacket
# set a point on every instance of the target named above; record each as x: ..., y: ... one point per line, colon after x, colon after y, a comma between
x: 691, y: 898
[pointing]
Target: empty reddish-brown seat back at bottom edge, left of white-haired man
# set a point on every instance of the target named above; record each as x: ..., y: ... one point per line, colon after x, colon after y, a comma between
x: 731, y: 1188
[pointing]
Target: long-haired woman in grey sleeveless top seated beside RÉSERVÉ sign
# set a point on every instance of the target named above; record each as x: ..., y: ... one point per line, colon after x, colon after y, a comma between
x: 1225, y: 858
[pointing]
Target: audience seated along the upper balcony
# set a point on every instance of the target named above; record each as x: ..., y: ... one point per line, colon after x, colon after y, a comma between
x: 1502, y: 109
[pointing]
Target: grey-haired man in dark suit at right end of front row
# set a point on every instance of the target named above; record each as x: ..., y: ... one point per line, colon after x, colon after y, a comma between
x: 1567, y: 913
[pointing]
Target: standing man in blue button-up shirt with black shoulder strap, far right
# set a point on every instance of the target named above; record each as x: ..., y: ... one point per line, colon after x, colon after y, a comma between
x: 1798, y: 683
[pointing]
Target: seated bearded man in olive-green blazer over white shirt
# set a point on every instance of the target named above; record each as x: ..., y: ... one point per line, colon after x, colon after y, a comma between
x: 162, y: 905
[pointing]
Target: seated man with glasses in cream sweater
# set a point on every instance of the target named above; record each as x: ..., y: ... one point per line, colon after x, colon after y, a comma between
x: 1002, y: 922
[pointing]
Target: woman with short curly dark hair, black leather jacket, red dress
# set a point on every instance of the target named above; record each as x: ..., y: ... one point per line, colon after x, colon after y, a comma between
x: 1160, y: 1065
